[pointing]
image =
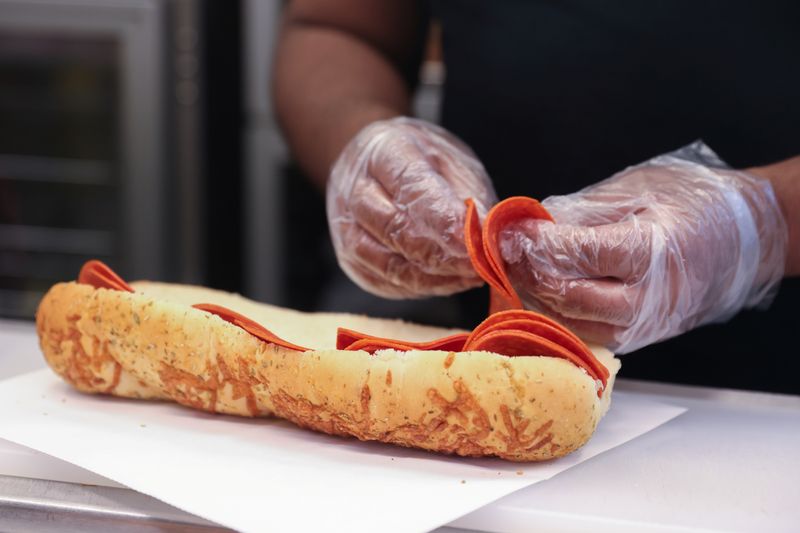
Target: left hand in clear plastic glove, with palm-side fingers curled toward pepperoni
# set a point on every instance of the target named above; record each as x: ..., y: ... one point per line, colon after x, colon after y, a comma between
x: 395, y: 205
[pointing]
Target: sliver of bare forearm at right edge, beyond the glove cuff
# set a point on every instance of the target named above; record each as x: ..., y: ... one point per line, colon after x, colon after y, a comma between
x: 785, y: 179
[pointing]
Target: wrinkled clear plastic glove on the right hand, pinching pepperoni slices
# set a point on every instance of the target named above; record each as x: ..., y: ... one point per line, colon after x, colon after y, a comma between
x: 657, y: 249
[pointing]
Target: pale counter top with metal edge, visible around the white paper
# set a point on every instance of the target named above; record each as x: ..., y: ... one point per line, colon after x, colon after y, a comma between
x: 731, y: 463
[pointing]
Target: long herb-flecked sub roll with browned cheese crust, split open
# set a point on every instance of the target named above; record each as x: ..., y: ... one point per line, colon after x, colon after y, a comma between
x: 152, y: 345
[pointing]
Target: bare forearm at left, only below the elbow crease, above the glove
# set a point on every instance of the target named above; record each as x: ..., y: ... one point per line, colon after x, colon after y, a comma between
x: 328, y: 85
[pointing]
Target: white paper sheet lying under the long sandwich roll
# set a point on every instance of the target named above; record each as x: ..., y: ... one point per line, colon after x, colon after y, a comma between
x: 258, y: 475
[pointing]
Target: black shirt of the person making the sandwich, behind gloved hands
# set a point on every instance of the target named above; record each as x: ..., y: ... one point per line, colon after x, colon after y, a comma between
x: 556, y: 95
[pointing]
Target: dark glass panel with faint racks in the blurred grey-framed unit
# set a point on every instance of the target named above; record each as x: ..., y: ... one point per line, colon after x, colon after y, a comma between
x: 59, y: 160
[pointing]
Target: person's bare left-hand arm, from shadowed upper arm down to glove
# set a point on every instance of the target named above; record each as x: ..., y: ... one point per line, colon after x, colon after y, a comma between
x: 341, y: 65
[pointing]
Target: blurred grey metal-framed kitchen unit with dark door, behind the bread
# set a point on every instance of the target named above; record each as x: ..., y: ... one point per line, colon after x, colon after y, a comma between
x: 118, y: 121
